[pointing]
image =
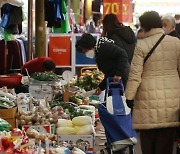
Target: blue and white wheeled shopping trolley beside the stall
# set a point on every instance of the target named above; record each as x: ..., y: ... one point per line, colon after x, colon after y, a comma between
x: 115, y: 116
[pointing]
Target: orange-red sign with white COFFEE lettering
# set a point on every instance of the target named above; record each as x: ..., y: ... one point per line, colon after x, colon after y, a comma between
x: 60, y: 50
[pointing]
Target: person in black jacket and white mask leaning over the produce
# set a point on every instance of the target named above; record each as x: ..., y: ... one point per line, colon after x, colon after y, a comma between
x: 111, y: 59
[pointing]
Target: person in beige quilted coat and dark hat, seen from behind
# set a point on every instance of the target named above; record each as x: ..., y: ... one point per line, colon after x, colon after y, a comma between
x: 155, y: 87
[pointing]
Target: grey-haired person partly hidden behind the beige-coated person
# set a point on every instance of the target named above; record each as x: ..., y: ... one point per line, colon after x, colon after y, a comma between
x: 169, y: 26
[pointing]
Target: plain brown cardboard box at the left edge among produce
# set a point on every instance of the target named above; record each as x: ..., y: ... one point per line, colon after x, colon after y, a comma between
x: 9, y: 115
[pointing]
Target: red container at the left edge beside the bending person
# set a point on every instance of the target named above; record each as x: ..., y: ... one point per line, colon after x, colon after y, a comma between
x: 10, y: 80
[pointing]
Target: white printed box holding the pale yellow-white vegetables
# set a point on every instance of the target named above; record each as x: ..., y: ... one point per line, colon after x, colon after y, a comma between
x: 83, y: 142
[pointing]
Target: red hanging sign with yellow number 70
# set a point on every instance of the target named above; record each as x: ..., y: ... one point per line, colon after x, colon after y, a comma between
x: 122, y: 8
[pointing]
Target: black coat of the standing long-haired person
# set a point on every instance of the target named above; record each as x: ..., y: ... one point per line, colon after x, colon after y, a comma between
x: 124, y: 38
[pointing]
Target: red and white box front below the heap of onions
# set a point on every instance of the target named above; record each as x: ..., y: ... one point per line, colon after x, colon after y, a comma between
x: 42, y: 129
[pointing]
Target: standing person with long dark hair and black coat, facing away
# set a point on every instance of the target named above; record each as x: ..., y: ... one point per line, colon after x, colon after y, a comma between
x: 123, y: 36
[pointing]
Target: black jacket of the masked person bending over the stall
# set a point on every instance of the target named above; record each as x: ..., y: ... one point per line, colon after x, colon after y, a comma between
x: 112, y: 60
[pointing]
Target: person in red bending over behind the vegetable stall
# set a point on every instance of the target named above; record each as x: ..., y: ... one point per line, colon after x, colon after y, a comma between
x: 39, y: 64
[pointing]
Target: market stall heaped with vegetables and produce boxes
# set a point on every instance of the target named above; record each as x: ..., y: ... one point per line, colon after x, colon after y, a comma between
x: 59, y: 114
